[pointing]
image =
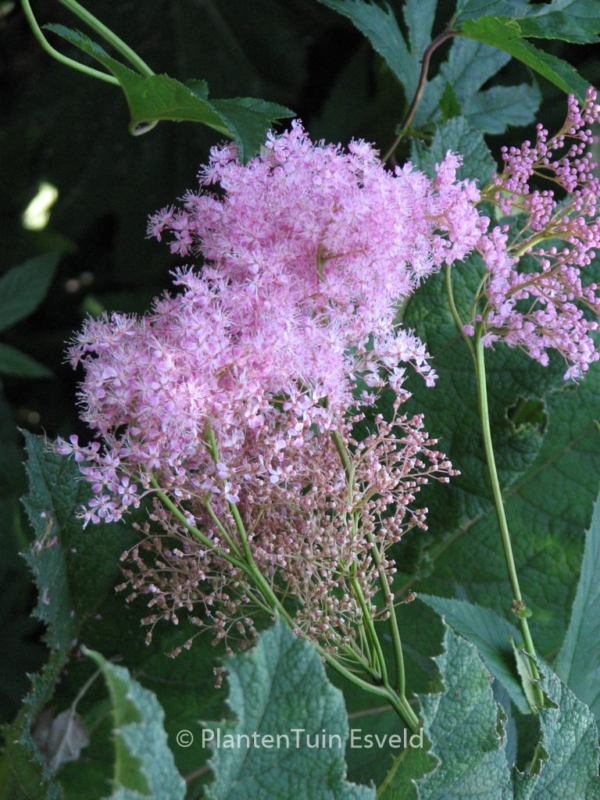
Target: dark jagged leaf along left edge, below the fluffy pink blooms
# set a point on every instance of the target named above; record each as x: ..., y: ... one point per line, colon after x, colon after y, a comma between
x: 72, y: 574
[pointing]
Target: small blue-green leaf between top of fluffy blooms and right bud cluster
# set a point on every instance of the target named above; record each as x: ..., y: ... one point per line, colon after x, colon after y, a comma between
x: 458, y: 136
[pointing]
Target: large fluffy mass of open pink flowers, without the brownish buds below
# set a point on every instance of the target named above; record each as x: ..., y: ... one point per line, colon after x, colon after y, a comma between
x: 307, y: 255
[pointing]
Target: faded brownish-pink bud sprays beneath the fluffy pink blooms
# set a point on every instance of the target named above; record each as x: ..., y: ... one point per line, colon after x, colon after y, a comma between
x: 312, y: 534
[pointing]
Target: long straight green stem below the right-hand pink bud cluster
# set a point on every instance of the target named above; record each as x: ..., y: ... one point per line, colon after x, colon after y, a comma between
x: 519, y: 604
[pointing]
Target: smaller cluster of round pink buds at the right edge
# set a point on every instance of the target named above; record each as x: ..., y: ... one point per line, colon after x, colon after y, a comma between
x: 537, y: 297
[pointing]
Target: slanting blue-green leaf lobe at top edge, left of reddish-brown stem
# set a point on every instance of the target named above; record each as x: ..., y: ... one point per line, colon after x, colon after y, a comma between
x: 380, y: 27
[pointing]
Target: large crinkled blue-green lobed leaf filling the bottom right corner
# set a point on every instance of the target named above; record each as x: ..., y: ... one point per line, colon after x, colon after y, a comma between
x: 465, y: 730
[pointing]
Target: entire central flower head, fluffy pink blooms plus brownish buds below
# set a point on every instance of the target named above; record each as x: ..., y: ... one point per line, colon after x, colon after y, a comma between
x: 228, y: 393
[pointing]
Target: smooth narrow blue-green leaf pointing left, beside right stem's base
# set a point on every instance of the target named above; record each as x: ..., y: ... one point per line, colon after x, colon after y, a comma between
x: 492, y: 636
